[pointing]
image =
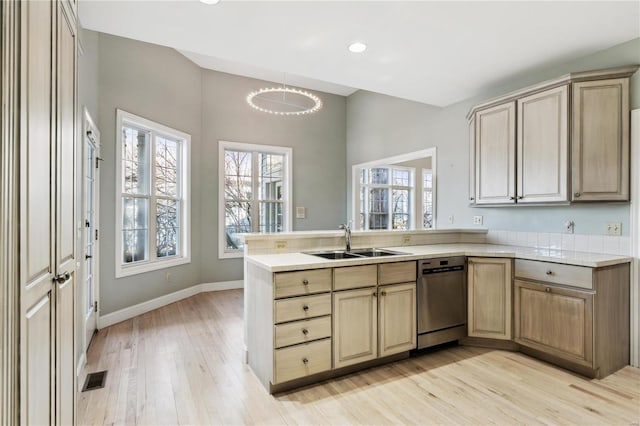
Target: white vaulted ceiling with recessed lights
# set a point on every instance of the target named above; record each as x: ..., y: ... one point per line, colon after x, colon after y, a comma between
x: 435, y: 52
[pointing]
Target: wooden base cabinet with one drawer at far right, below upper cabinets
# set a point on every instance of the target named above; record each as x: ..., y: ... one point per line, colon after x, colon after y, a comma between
x: 574, y: 316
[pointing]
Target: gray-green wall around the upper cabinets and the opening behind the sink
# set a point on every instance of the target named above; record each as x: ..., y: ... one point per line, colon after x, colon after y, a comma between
x: 381, y: 126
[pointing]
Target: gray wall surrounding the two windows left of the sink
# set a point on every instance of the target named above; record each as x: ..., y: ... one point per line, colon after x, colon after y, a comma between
x: 160, y: 84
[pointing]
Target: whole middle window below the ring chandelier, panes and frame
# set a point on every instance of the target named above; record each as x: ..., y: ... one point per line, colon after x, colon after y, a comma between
x: 255, y: 188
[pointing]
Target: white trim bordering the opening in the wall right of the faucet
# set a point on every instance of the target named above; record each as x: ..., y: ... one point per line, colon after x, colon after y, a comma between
x: 355, y: 180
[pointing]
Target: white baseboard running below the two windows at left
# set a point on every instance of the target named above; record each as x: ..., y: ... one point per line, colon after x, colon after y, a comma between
x: 158, y: 302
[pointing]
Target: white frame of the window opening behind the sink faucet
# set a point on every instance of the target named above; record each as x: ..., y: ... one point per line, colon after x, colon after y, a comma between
x: 418, y: 213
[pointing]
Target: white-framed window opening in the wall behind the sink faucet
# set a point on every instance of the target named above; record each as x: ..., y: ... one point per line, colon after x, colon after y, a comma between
x: 396, y: 192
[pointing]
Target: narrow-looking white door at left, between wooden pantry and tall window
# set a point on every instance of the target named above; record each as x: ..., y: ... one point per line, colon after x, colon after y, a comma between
x: 90, y: 217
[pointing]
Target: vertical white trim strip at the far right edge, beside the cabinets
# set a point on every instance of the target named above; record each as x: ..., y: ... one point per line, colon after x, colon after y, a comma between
x: 635, y: 238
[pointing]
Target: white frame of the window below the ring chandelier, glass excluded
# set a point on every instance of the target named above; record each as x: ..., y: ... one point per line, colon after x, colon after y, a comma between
x: 287, y: 191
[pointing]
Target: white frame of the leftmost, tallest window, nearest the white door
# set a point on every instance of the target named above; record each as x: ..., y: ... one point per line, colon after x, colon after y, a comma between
x: 153, y: 262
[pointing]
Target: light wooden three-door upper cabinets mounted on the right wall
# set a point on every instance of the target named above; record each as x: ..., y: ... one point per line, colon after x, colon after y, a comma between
x: 521, y: 142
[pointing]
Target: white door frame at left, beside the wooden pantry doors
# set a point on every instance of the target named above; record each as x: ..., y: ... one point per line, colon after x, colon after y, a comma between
x: 88, y: 125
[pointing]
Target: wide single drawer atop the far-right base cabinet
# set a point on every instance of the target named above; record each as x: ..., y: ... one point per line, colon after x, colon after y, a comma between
x: 576, y: 276
